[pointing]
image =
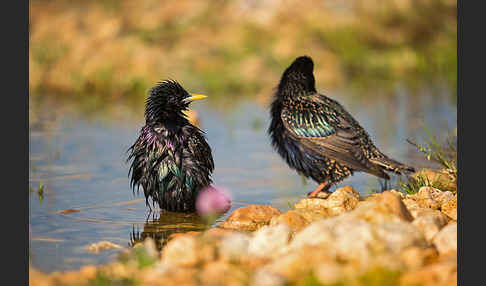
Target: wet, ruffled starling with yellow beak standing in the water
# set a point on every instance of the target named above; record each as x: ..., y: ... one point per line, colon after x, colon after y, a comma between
x: 171, y: 159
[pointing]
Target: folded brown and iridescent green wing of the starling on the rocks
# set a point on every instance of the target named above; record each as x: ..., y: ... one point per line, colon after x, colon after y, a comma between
x: 324, y: 129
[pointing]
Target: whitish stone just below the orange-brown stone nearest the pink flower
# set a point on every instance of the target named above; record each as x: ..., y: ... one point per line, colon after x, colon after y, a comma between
x: 278, y: 235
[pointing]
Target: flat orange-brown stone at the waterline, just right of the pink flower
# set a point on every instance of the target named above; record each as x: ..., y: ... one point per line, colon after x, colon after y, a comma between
x: 250, y: 218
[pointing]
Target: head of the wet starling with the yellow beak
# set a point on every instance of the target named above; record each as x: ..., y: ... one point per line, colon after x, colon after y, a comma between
x: 168, y: 99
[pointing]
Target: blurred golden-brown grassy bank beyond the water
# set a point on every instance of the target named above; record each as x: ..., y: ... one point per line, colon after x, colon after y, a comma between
x: 118, y: 49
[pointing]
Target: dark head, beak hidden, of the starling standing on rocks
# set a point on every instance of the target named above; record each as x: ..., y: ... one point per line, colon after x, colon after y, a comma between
x: 298, y: 78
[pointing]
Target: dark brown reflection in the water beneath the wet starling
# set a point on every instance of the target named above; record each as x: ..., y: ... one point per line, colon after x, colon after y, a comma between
x: 162, y: 225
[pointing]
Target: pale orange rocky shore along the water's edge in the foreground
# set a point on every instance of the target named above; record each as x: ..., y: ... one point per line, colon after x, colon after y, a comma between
x: 389, y: 238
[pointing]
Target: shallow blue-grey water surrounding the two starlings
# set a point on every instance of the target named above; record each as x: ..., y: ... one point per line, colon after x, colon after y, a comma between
x: 80, y: 158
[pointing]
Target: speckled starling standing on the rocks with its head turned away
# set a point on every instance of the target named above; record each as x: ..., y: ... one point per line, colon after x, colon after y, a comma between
x: 317, y: 137
